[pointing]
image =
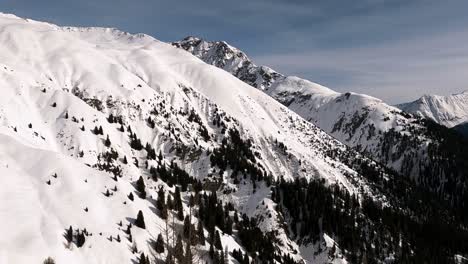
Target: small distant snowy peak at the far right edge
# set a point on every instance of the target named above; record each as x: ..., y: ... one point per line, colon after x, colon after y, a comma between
x: 449, y: 110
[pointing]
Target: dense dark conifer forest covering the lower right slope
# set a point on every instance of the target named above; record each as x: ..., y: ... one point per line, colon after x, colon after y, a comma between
x: 368, y: 231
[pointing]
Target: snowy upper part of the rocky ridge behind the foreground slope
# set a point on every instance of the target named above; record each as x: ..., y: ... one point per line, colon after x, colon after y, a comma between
x: 356, y: 120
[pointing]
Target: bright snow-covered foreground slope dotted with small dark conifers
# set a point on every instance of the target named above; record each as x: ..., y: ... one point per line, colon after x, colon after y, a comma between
x: 58, y: 84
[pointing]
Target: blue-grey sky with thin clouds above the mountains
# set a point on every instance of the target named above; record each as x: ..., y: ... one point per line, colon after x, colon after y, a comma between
x: 396, y: 50
